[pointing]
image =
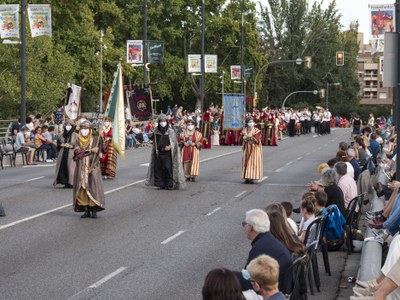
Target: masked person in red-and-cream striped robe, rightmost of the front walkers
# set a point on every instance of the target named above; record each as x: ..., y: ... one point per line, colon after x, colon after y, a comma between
x: 252, y: 164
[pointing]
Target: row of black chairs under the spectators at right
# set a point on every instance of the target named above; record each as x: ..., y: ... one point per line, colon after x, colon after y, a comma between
x: 306, y: 267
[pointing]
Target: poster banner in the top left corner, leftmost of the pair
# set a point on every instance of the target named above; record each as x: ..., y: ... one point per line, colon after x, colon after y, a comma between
x: 9, y: 21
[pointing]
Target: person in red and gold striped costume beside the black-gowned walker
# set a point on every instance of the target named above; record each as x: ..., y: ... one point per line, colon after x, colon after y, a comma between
x: 190, y: 142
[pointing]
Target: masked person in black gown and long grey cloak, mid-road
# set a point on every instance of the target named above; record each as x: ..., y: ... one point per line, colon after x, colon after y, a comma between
x: 165, y: 169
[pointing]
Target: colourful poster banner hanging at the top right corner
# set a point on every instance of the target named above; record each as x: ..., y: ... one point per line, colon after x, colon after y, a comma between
x: 382, y: 19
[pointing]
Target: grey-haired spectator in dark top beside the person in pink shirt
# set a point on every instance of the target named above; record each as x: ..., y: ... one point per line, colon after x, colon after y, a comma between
x: 329, y: 185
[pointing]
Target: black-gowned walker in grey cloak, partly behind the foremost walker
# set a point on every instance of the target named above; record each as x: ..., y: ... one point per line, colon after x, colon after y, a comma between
x: 65, y: 167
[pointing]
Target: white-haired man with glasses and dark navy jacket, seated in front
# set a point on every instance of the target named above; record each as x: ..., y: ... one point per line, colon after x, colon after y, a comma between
x: 256, y: 227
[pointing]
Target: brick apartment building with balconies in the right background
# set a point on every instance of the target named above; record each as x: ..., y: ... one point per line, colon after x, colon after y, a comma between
x: 370, y: 77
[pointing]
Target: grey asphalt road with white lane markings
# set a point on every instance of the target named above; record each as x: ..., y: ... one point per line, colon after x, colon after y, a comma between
x: 147, y: 244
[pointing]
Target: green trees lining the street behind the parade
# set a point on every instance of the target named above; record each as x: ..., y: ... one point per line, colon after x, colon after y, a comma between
x: 286, y: 30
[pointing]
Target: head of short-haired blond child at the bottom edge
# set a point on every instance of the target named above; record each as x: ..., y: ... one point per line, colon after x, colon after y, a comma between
x: 264, y: 273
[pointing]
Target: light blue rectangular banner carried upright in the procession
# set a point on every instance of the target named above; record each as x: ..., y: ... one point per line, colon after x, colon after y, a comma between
x: 234, y: 111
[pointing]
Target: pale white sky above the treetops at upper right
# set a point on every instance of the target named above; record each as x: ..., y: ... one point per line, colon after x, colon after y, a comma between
x: 352, y: 10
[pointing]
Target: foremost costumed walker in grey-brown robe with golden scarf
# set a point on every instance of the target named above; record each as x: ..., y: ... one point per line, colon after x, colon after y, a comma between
x: 88, y: 184
